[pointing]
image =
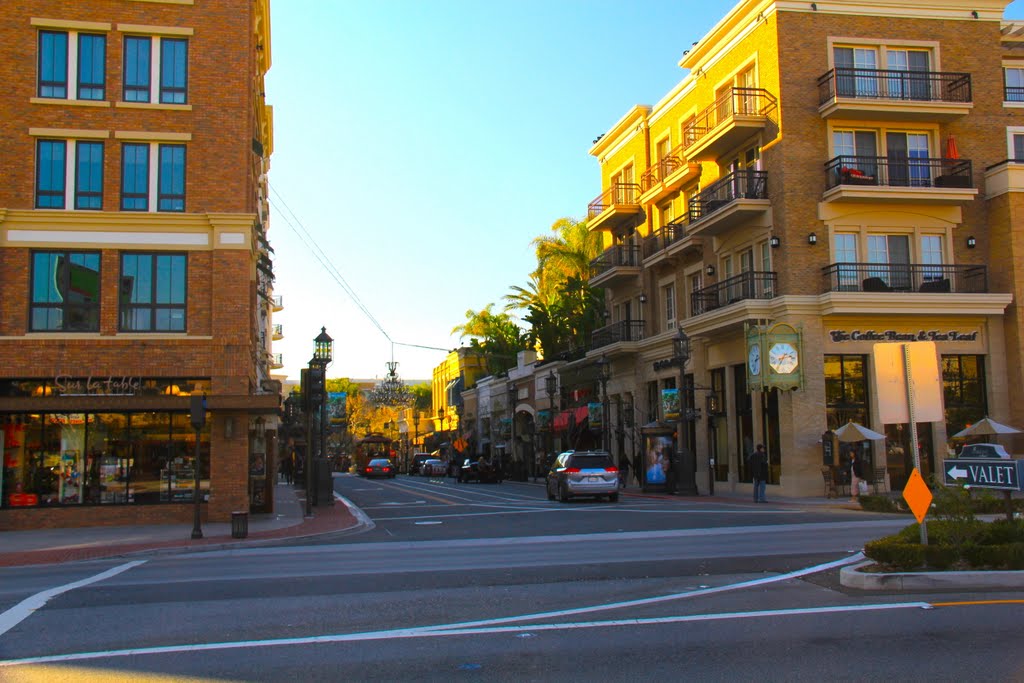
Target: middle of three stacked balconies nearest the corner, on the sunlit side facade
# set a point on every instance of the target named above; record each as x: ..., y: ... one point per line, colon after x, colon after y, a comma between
x: 734, y: 200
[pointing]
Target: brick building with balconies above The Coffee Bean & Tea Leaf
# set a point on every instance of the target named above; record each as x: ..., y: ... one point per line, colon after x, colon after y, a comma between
x: 829, y: 176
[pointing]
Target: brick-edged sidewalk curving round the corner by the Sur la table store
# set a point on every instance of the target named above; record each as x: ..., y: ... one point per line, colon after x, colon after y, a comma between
x: 68, y: 545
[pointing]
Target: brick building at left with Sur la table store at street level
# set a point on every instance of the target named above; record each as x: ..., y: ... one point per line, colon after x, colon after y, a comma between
x: 135, y: 266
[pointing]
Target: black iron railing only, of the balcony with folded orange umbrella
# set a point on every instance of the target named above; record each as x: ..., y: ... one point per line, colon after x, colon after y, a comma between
x: 899, y: 173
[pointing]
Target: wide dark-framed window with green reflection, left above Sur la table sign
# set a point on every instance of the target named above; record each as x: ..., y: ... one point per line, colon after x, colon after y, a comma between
x: 65, y: 292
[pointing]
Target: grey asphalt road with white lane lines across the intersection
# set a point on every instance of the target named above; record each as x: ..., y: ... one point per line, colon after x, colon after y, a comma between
x: 495, y: 583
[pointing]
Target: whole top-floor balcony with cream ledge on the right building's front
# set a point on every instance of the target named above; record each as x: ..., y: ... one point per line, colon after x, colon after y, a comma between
x: 884, y: 95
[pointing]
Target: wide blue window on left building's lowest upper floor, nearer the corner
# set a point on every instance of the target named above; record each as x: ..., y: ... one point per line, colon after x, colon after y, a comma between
x: 153, y: 292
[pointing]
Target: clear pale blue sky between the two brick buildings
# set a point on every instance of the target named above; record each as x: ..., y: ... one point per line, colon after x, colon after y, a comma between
x: 423, y: 145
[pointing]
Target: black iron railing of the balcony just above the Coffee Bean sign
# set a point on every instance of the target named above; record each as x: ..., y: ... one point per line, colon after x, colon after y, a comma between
x: 904, y: 278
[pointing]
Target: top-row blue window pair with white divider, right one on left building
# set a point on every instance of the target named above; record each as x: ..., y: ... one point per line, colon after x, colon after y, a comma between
x: 163, y: 67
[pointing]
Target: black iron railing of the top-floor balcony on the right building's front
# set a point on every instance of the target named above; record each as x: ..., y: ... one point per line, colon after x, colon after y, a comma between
x: 890, y: 84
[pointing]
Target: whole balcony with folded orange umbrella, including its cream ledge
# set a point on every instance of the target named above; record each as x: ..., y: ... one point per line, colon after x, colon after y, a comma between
x: 889, y: 179
